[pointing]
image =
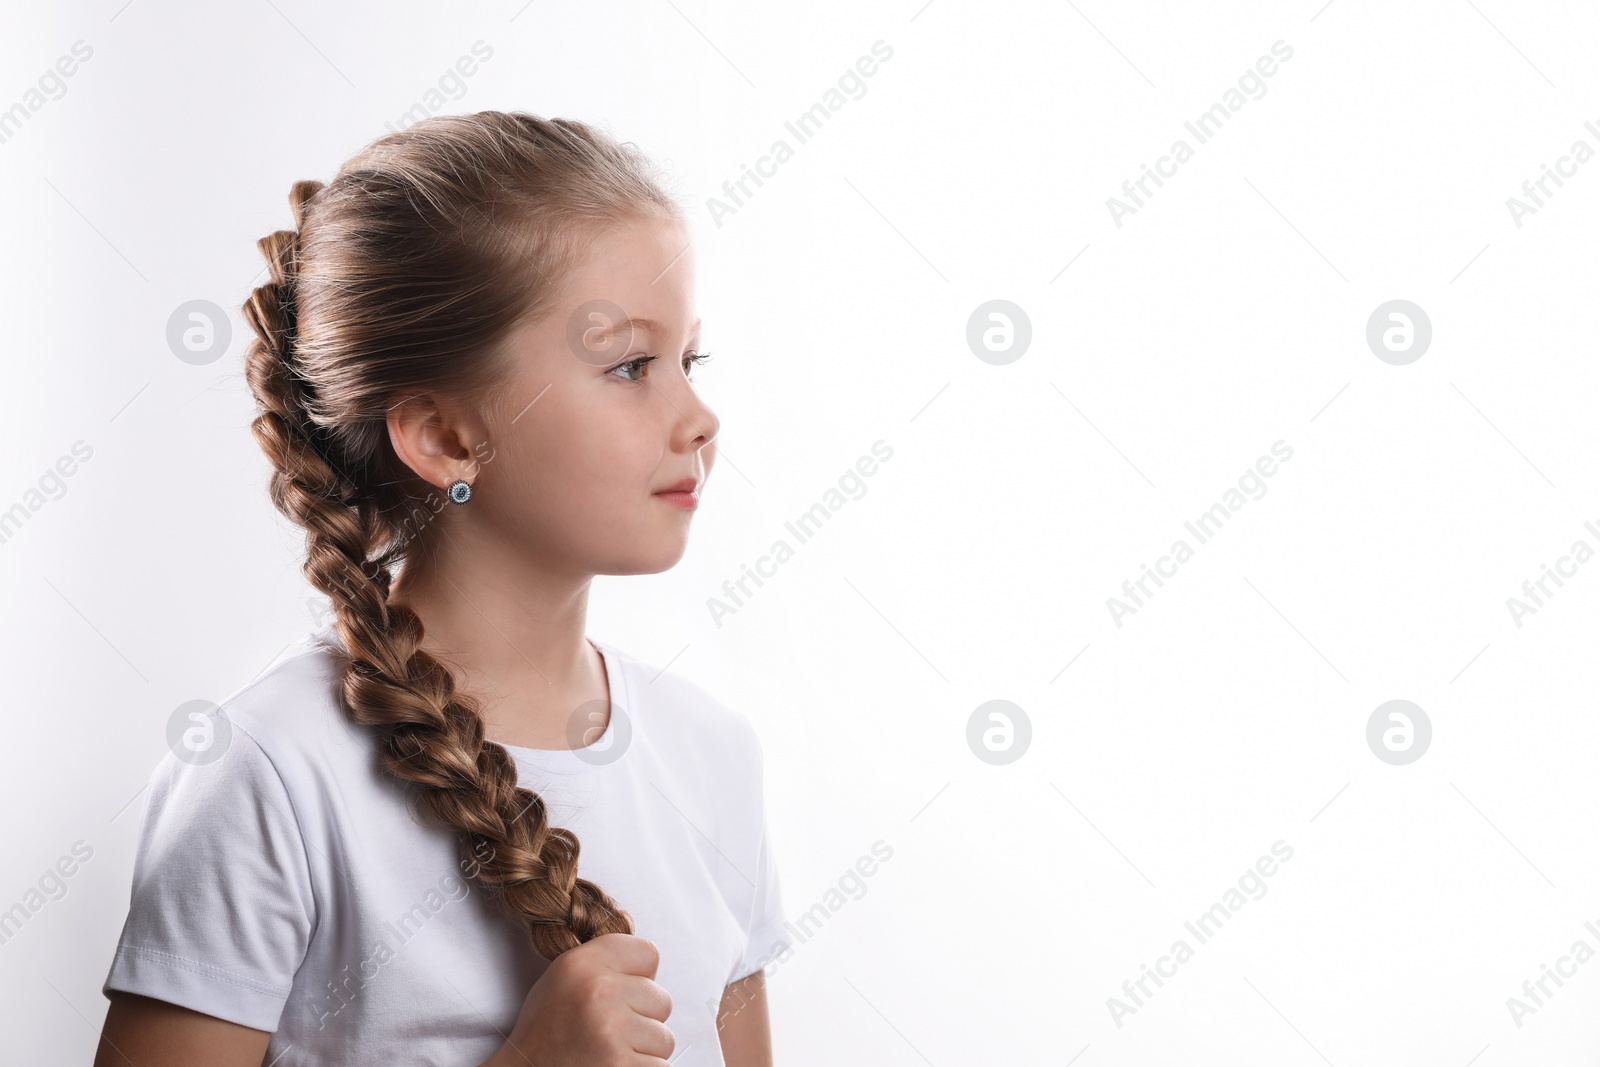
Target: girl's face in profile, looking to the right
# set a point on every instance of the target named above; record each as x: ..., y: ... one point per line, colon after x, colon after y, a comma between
x: 601, y: 415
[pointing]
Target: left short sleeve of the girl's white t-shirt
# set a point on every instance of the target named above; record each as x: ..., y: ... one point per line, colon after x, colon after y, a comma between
x: 222, y: 911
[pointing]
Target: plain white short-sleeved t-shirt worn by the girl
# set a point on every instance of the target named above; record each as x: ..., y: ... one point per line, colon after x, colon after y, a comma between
x: 284, y: 884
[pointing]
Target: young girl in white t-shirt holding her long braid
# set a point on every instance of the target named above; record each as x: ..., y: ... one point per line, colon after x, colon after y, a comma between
x: 473, y: 359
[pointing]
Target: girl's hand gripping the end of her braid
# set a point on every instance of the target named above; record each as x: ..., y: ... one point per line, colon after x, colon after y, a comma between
x: 598, y: 1005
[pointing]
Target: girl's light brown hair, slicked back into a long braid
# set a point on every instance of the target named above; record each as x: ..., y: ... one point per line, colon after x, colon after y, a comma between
x: 402, y: 276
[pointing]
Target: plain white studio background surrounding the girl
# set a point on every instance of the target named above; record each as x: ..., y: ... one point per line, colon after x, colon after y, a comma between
x: 1167, y: 354
